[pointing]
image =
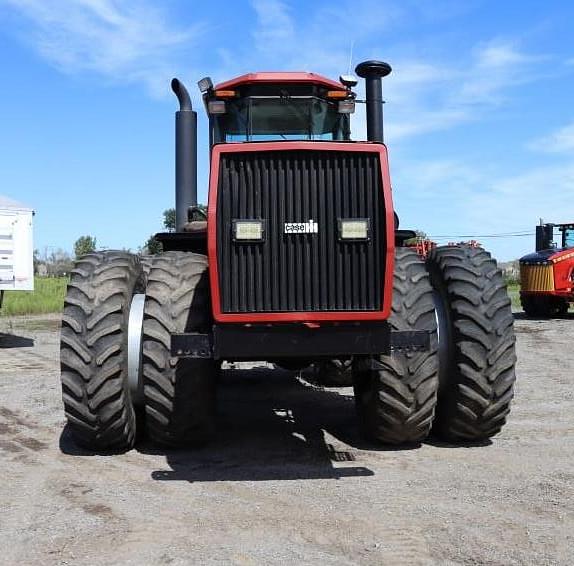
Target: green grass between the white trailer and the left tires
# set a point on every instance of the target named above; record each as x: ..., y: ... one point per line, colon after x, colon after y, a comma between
x: 47, y: 297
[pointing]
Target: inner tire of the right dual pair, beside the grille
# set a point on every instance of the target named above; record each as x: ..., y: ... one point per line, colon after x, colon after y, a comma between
x: 396, y: 394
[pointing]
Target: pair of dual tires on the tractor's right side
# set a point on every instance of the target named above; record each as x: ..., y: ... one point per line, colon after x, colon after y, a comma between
x: 462, y: 387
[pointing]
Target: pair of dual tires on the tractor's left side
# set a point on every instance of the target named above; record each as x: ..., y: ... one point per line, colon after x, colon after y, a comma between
x: 99, y: 401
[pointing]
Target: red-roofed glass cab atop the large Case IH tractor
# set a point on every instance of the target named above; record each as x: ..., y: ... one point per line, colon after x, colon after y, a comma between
x: 289, y: 106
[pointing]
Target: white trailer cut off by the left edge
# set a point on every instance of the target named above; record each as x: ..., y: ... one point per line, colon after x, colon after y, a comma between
x: 16, y: 247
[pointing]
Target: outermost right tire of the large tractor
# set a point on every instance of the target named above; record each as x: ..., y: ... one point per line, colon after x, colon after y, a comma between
x: 476, y: 343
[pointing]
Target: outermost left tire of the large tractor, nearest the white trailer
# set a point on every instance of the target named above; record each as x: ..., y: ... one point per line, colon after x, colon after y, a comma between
x: 94, y: 350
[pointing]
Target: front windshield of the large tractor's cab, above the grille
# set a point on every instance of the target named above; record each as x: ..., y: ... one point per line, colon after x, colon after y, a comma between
x: 273, y: 118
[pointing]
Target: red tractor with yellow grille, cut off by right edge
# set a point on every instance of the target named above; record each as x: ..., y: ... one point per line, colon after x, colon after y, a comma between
x: 547, y: 275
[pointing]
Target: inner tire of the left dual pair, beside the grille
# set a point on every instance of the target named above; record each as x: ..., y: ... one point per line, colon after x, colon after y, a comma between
x: 179, y: 392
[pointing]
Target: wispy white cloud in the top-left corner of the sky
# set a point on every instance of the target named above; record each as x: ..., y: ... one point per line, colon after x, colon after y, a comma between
x: 122, y: 40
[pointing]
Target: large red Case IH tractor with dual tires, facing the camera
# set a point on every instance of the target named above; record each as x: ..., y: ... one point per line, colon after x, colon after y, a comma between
x: 300, y: 260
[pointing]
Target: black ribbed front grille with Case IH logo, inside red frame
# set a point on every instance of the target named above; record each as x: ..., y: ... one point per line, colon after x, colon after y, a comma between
x: 300, y: 272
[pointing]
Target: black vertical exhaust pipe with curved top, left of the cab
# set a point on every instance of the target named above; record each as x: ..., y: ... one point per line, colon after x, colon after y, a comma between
x: 185, y: 155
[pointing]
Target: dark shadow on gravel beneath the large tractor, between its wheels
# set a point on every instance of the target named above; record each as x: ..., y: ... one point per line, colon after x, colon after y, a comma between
x: 271, y: 427
